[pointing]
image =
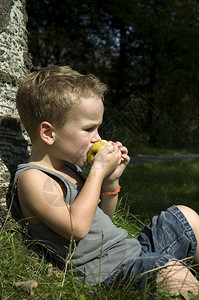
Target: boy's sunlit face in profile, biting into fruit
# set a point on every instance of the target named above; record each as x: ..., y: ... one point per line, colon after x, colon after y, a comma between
x: 76, y: 137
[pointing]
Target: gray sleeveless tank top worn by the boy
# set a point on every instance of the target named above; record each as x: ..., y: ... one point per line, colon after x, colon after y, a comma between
x: 102, y: 251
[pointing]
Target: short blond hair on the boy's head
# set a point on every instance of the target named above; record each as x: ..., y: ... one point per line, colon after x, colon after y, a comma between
x: 51, y: 93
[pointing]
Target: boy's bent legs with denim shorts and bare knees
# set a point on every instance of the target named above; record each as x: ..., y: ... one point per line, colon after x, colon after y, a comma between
x: 164, y: 244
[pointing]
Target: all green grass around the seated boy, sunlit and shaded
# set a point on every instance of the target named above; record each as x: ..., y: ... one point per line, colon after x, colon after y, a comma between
x: 146, y: 190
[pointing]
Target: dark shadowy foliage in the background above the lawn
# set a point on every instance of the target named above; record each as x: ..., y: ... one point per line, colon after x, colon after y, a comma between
x: 147, y: 51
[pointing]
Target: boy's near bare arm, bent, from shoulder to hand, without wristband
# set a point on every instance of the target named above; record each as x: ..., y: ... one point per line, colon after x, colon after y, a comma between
x: 38, y: 201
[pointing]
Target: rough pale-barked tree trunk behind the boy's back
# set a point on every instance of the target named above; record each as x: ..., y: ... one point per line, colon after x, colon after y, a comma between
x: 14, y: 65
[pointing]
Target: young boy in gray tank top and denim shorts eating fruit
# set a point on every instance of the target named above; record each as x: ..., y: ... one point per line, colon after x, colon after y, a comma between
x: 62, y: 111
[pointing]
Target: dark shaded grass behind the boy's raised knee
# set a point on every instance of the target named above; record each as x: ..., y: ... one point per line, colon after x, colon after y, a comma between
x: 153, y: 187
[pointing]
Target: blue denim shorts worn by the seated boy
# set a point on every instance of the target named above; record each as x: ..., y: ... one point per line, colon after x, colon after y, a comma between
x: 169, y: 237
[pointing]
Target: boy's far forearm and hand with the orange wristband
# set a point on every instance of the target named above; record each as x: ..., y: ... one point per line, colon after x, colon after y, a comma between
x: 109, y: 202
